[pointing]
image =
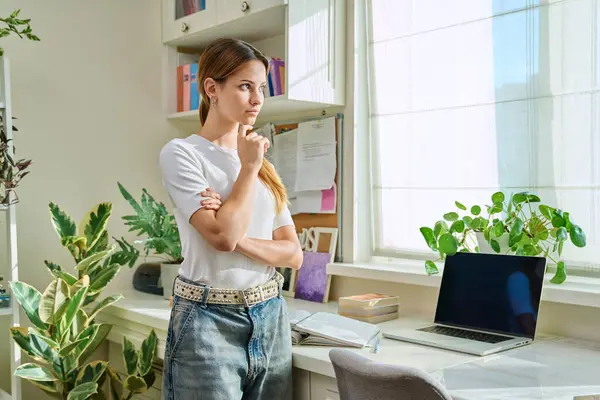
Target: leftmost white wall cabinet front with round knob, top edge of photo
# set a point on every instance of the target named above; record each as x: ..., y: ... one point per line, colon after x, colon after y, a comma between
x: 176, y: 24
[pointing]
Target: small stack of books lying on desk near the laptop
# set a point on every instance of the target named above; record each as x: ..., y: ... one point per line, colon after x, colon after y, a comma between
x: 373, y: 308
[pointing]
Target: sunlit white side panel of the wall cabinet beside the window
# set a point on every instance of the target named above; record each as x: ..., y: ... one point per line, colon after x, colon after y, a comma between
x: 316, y: 51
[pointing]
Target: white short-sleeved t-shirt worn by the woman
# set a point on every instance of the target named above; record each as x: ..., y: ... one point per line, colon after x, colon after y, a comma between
x: 191, y: 165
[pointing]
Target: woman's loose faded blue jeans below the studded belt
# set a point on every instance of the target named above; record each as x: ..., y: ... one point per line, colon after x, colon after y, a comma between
x: 228, y: 352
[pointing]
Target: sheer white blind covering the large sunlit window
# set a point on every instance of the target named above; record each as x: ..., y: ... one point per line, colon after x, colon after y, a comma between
x: 471, y: 96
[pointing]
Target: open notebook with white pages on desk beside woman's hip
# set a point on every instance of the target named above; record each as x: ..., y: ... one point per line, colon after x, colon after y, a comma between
x: 328, y: 329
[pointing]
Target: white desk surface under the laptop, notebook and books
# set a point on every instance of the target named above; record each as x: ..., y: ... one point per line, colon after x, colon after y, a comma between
x: 551, y: 368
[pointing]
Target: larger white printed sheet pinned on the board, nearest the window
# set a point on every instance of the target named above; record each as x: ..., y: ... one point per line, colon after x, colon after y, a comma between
x: 316, y: 158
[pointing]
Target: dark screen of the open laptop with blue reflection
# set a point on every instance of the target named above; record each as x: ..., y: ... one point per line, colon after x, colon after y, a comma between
x: 497, y: 293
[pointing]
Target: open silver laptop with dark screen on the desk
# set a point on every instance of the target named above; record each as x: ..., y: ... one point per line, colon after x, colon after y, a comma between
x: 487, y: 303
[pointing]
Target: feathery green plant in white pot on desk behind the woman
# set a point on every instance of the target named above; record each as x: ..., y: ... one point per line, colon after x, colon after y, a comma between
x: 152, y: 220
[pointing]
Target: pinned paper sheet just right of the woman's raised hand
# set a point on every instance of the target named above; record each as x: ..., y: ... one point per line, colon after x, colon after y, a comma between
x: 285, y: 158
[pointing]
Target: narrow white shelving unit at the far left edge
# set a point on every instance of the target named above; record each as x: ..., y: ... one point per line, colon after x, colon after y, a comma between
x: 11, y: 236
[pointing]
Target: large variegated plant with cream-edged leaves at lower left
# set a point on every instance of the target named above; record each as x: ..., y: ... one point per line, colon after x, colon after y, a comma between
x: 64, y: 333
